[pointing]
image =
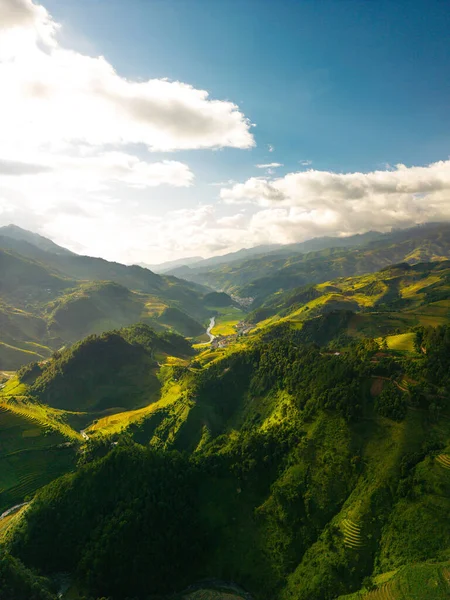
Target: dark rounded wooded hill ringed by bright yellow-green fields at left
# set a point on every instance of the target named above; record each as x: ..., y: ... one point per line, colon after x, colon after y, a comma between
x: 115, y: 370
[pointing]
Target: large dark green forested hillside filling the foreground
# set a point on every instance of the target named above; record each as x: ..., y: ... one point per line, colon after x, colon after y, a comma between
x: 307, y: 475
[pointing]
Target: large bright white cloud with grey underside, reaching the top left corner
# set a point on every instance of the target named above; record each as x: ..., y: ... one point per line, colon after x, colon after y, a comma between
x: 53, y: 96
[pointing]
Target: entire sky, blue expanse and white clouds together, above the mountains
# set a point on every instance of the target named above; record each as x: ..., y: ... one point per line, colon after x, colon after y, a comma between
x: 150, y: 130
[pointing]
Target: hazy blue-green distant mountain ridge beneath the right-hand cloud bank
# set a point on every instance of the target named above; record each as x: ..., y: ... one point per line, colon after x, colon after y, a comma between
x: 267, y: 274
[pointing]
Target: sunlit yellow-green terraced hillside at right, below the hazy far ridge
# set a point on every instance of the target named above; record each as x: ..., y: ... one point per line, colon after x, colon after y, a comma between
x: 409, y: 294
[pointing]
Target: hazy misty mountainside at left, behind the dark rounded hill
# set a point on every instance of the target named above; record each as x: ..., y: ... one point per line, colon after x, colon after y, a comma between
x: 49, y: 299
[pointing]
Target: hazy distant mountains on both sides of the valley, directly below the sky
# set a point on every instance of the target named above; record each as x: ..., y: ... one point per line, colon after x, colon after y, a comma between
x: 50, y: 297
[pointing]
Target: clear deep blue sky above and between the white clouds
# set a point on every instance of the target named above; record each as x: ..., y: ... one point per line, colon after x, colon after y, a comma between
x: 348, y: 84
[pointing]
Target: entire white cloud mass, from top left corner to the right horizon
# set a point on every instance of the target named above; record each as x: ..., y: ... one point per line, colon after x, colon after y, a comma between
x: 72, y: 164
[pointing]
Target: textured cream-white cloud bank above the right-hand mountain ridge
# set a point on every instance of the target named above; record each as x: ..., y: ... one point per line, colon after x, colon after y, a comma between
x: 304, y: 204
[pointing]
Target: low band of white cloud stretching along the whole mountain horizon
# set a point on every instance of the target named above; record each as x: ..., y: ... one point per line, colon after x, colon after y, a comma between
x: 283, y: 210
